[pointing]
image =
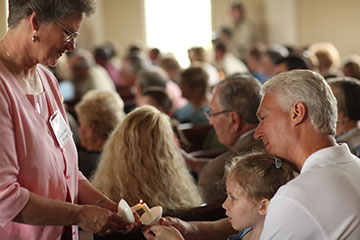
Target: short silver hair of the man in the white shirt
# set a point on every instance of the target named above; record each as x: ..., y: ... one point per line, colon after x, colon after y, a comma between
x: 311, y: 89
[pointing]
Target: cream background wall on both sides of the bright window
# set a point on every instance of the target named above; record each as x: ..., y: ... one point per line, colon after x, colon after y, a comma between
x: 294, y: 22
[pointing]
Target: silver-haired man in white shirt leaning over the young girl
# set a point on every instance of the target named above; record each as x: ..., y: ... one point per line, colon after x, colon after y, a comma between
x: 298, y: 115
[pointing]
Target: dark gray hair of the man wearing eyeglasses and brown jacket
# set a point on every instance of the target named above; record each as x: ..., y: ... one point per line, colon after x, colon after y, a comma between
x: 240, y: 93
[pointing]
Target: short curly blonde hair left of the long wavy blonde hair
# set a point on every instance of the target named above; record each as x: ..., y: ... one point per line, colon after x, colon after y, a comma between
x: 104, y: 109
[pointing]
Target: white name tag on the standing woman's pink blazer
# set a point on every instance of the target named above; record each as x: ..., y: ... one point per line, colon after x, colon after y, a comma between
x: 60, y: 128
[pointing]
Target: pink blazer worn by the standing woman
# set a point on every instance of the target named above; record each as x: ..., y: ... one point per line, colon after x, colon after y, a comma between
x: 30, y: 157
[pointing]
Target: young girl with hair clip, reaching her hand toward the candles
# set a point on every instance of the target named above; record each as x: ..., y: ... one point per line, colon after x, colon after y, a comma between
x: 251, y: 182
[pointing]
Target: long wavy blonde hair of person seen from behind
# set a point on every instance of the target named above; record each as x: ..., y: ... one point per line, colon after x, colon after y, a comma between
x: 142, y: 161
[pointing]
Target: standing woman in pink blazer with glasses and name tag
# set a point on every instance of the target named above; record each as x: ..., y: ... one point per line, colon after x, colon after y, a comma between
x: 42, y: 193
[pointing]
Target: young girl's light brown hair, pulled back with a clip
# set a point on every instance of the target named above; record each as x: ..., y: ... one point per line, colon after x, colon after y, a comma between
x: 257, y: 174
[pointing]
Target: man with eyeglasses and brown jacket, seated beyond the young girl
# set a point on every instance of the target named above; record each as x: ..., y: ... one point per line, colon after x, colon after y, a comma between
x: 232, y: 112
